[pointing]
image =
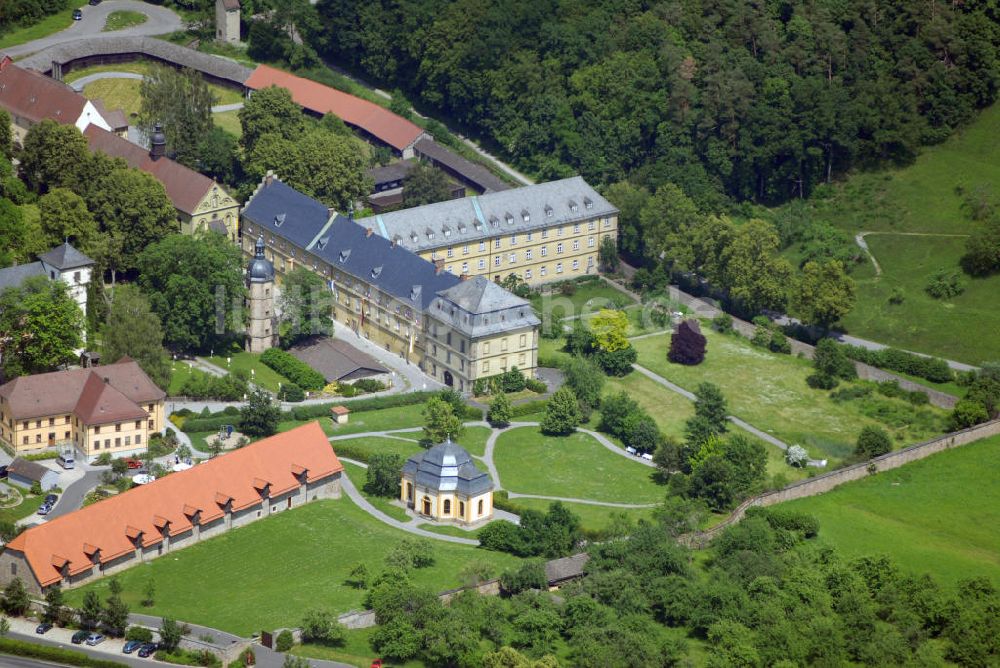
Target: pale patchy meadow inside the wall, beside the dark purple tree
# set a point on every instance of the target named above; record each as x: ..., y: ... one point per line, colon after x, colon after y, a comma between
x: 769, y: 391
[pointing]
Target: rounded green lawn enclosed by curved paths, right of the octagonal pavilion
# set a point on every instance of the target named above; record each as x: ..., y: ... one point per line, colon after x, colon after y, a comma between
x: 574, y: 466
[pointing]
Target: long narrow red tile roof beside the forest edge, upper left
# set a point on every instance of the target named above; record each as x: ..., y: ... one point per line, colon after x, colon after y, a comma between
x: 377, y: 121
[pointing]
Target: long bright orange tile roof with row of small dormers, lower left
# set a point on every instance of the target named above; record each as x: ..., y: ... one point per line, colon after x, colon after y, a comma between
x: 107, y: 530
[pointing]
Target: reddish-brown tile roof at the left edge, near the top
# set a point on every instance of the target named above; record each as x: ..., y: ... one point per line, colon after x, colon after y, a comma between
x: 35, y: 96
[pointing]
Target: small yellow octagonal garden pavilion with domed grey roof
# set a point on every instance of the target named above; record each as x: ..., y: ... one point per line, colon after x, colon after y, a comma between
x: 443, y: 484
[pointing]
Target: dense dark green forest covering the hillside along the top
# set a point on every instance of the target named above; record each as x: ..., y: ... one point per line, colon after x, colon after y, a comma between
x: 727, y: 99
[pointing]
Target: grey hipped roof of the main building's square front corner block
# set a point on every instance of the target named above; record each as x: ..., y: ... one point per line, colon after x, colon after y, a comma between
x: 486, y: 308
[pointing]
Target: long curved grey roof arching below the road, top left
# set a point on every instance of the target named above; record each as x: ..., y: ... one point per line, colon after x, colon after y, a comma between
x: 220, y: 68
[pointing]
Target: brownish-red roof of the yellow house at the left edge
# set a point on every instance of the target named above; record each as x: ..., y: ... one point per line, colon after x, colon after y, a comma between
x: 114, y: 389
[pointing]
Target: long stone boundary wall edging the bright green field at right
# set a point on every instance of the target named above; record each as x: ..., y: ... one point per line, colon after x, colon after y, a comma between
x: 827, y: 481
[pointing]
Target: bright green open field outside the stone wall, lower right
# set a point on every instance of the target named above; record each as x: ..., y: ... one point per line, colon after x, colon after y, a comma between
x: 938, y: 515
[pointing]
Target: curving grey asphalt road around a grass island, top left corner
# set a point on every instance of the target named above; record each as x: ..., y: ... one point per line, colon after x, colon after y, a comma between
x: 159, y: 21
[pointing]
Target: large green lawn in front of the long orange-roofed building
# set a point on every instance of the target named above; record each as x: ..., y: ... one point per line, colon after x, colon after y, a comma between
x: 263, y: 576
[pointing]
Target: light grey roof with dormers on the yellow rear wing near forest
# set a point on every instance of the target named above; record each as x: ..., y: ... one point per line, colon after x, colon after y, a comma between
x: 482, y: 217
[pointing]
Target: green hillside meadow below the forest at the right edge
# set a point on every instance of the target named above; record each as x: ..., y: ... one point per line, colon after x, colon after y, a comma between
x: 926, y: 197
